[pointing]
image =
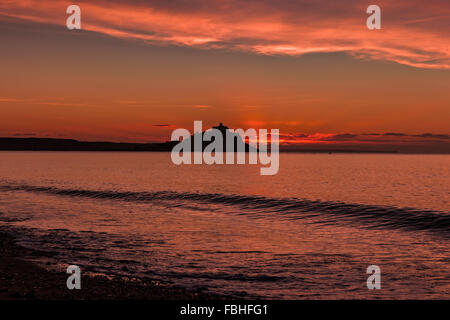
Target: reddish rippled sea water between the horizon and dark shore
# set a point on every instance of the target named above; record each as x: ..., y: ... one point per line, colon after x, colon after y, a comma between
x: 308, y: 232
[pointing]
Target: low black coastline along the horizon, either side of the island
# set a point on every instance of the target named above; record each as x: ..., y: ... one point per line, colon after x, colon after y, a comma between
x: 54, y: 144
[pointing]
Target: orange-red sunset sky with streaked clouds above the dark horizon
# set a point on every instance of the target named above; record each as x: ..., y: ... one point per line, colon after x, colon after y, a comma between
x: 140, y: 69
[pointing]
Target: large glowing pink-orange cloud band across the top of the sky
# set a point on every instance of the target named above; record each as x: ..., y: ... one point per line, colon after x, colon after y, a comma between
x: 413, y: 33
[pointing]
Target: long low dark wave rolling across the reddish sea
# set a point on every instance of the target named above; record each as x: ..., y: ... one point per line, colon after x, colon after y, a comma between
x: 326, y: 212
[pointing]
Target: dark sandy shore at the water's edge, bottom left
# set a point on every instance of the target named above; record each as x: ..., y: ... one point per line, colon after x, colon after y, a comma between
x: 23, y: 280
